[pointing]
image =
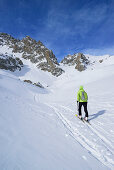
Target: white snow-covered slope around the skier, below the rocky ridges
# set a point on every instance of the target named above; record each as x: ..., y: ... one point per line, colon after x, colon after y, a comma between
x: 38, y: 127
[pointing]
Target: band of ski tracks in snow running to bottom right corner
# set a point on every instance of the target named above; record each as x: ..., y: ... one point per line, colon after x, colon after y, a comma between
x: 98, y: 145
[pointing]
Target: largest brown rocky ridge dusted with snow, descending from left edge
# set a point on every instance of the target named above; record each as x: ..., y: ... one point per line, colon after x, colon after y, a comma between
x: 35, y: 51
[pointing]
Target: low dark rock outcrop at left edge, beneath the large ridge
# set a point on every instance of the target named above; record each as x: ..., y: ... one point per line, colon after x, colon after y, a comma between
x: 10, y: 63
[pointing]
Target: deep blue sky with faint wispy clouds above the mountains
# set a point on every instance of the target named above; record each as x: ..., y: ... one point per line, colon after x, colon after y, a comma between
x: 66, y: 27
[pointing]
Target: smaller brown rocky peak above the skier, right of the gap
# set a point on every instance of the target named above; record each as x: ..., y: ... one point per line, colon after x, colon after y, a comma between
x: 79, y: 60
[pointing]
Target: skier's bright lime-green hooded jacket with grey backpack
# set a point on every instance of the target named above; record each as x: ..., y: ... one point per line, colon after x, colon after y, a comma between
x: 82, y: 95
